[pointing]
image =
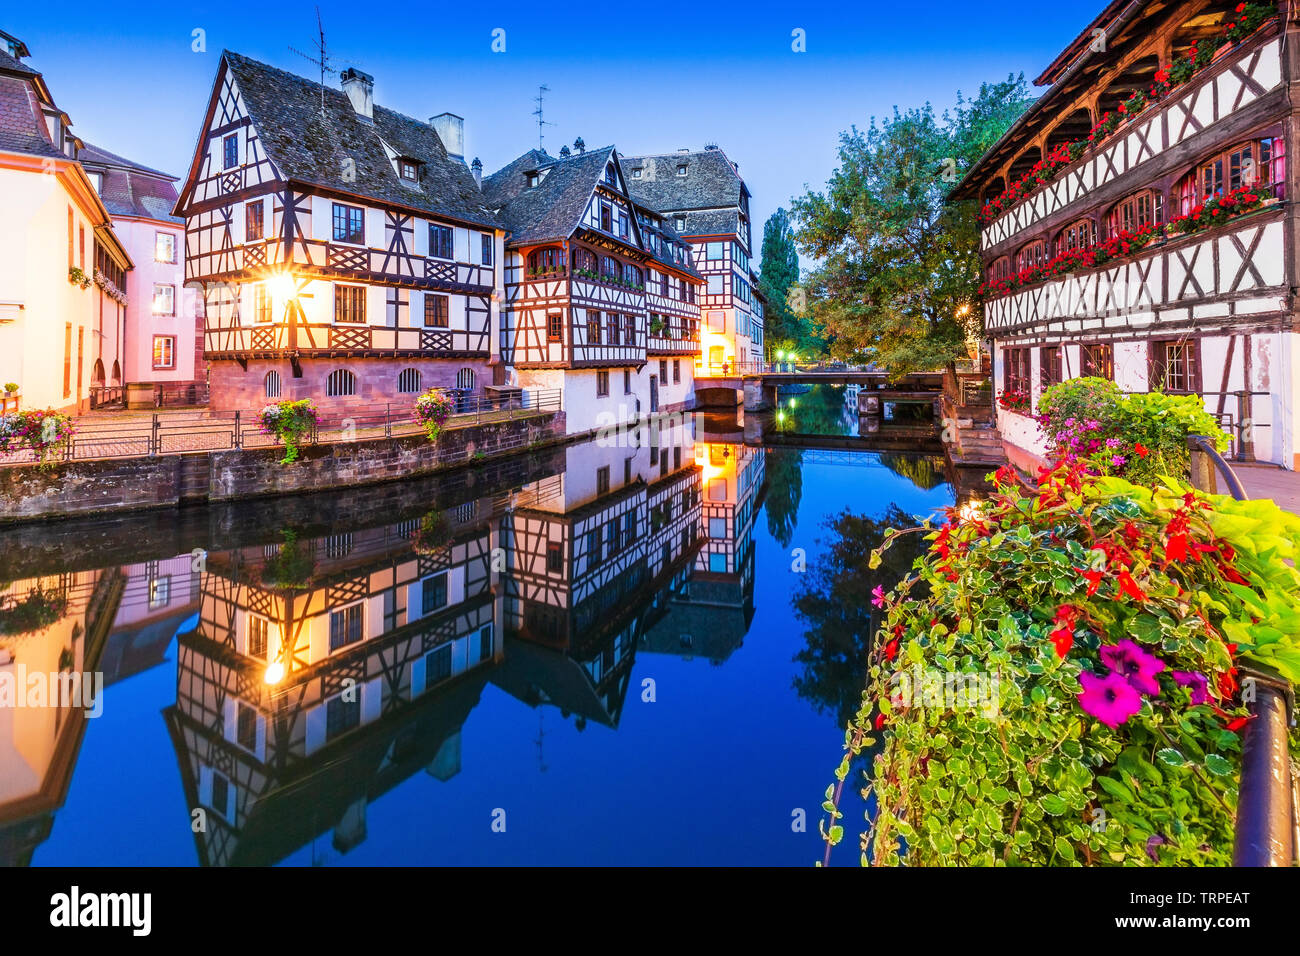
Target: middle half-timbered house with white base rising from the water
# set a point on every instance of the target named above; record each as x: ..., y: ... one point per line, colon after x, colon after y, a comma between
x: 601, y: 295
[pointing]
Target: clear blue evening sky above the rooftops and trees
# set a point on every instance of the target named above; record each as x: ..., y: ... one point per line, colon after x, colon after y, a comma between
x: 681, y: 76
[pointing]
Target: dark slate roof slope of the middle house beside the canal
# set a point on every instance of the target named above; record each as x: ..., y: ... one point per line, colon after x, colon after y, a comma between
x: 554, y: 207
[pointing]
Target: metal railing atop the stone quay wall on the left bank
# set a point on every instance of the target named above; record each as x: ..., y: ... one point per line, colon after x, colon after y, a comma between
x: 166, y: 435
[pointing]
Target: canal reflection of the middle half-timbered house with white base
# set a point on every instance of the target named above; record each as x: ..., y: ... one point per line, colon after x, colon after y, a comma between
x: 587, y: 553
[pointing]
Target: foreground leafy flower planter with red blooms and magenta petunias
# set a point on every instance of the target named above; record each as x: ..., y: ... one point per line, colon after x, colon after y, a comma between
x: 1107, y: 621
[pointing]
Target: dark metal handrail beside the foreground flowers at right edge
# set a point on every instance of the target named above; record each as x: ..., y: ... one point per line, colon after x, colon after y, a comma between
x: 1268, y: 811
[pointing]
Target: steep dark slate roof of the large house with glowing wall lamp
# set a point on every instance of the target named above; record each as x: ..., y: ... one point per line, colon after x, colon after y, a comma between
x: 310, y: 149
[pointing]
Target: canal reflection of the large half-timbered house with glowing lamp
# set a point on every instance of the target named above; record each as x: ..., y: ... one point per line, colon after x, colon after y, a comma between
x: 328, y: 671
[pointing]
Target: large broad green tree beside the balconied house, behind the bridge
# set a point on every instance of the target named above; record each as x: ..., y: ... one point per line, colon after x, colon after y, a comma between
x: 898, y: 261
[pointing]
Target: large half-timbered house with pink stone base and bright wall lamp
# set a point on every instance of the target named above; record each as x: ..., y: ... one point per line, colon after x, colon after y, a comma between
x: 344, y: 250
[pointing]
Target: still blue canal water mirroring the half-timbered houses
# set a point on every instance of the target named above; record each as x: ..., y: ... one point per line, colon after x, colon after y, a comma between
x: 621, y: 652
